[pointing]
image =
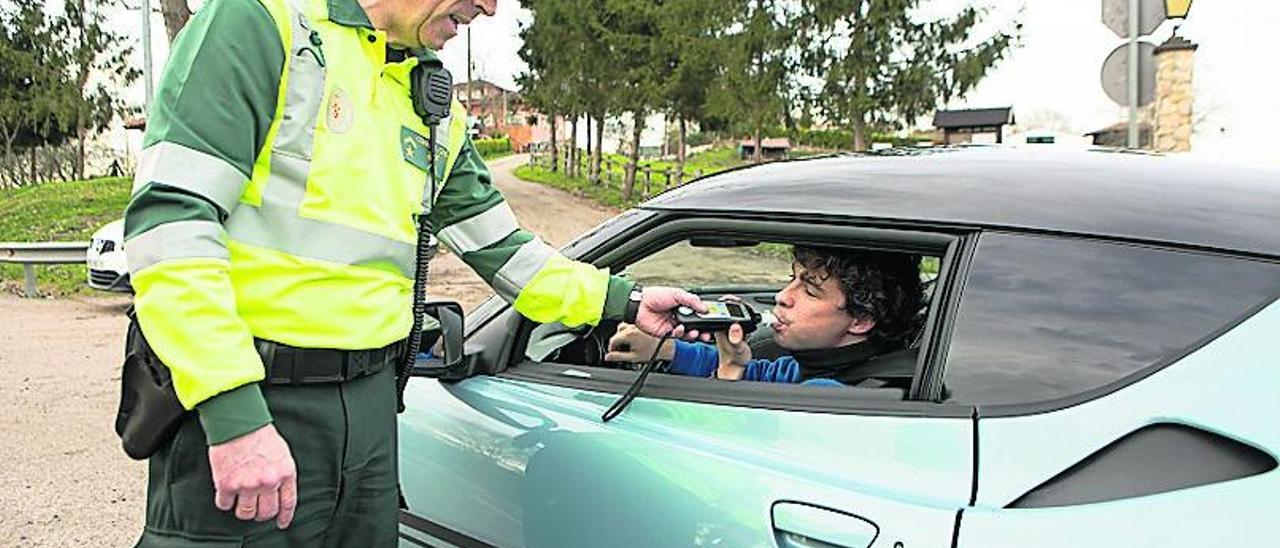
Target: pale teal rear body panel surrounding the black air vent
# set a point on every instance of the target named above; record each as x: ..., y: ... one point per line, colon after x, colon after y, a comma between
x: 1228, y: 387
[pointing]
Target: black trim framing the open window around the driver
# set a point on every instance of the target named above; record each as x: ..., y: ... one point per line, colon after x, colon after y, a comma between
x: 662, y: 231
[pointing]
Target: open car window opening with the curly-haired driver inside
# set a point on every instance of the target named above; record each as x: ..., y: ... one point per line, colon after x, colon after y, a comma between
x: 771, y: 277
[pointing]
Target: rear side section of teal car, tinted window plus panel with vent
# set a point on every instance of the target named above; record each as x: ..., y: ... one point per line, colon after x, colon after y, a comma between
x: 1126, y: 395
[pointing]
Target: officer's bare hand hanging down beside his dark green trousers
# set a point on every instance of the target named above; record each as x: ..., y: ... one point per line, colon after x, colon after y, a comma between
x: 255, y: 474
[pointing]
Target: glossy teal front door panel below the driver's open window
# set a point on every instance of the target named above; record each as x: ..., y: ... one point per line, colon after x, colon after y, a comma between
x: 519, y: 464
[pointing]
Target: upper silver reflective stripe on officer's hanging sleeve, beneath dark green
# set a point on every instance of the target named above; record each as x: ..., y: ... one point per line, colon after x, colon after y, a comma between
x: 193, y: 171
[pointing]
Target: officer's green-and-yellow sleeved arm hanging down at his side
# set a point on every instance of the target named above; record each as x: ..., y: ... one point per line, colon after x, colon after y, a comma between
x: 209, y: 121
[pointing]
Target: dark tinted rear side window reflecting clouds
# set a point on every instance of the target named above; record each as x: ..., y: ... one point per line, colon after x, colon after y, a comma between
x: 1049, y: 318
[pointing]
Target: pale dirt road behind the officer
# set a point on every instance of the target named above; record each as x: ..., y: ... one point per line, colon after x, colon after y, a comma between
x: 65, y: 481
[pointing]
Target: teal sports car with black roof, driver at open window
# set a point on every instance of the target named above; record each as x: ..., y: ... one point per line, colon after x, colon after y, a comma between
x: 1099, y: 366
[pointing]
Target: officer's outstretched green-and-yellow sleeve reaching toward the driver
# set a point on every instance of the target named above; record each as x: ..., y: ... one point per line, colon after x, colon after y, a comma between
x: 476, y: 222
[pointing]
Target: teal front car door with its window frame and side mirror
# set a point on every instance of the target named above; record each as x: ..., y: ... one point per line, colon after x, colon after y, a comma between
x: 523, y: 458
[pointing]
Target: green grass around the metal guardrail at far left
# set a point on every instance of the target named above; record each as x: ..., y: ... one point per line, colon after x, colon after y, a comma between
x: 58, y: 212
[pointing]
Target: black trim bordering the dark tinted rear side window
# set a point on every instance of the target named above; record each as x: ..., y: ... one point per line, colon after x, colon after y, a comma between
x: 1045, y: 407
